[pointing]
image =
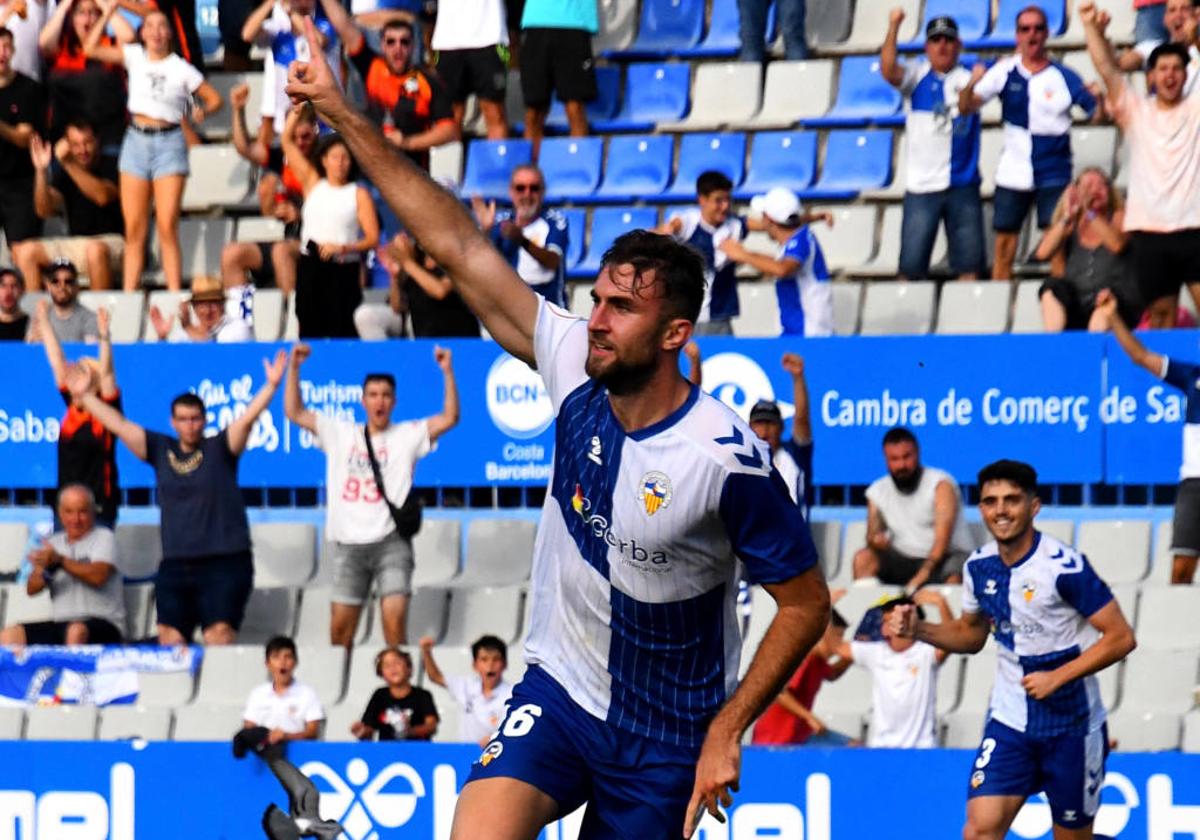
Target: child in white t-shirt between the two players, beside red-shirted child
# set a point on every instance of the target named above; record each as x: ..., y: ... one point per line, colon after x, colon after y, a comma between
x: 904, y: 699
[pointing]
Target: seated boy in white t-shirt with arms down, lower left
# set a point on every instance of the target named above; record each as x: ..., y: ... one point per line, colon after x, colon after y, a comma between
x: 290, y: 710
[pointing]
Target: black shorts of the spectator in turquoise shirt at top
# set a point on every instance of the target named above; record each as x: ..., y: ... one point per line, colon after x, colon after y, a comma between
x: 557, y: 61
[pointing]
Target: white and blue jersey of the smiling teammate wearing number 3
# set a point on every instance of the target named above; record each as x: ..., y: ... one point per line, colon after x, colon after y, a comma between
x: 1039, y: 610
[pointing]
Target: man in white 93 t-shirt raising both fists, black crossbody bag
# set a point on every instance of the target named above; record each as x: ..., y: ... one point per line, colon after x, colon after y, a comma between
x: 359, y: 524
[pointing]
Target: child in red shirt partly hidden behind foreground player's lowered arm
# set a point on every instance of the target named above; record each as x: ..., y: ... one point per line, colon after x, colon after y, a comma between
x: 790, y: 719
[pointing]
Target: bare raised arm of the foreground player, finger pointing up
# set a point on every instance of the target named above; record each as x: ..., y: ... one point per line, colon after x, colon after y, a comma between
x: 487, y: 283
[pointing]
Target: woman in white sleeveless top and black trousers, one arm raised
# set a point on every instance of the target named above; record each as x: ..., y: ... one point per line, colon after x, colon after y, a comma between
x: 337, y: 209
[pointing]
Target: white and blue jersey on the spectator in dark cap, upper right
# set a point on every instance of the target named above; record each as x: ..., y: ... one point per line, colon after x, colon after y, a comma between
x: 943, y: 145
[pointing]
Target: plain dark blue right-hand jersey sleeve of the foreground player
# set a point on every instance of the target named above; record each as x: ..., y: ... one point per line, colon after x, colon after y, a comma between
x: 766, y: 529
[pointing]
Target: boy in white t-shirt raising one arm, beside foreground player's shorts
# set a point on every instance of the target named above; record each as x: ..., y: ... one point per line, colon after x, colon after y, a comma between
x: 483, y: 698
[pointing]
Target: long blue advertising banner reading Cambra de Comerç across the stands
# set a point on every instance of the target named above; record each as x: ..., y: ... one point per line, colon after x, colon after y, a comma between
x: 1072, y: 405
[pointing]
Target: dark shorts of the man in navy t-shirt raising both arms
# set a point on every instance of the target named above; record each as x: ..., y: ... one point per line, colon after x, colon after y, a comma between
x: 199, y: 592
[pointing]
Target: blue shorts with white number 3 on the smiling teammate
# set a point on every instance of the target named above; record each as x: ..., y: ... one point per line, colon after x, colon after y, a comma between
x: 1069, y: 767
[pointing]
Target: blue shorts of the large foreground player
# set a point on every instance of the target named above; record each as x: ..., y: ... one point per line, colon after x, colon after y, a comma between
x: 635, y: 788
